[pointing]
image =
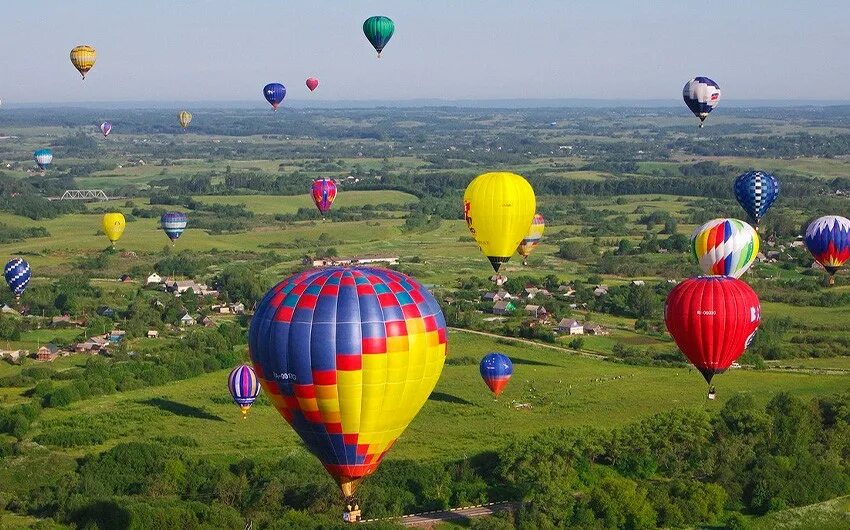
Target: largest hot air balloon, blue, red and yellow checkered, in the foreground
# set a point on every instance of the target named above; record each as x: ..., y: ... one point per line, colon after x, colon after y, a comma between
x: 348, y: 356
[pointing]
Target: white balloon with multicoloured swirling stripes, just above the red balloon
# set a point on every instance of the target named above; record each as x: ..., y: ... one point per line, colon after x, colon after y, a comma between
x: 726, y: 247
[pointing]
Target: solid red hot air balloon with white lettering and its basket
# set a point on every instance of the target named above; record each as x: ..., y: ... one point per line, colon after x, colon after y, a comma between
x: 712, y: 319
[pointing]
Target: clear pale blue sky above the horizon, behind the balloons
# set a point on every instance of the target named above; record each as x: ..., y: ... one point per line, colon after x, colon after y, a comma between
x: 216, y: 50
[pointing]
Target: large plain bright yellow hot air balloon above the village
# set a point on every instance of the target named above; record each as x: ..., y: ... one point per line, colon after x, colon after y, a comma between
x: 499, y: 208
